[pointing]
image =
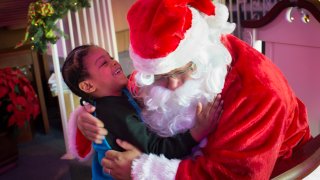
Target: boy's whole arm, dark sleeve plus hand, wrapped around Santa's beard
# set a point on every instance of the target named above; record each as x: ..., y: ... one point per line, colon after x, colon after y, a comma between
x: 123, y: 123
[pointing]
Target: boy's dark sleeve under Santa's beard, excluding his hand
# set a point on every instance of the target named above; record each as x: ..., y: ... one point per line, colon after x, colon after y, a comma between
x: 130, y: 128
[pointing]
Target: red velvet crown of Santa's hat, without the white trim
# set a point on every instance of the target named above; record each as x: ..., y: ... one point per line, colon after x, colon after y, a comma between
x: 173, y: 16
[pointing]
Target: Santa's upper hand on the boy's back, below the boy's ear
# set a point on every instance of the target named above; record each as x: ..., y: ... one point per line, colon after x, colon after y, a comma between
x: 91, y: 127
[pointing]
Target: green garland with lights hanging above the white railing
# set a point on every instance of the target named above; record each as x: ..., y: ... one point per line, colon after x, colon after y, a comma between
x: 42, y: 17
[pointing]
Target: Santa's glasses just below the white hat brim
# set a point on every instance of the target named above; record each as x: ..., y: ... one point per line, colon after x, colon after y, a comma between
x: 190, y: 67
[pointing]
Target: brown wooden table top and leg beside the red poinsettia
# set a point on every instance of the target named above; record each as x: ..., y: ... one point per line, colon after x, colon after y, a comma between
x: 25, y: 57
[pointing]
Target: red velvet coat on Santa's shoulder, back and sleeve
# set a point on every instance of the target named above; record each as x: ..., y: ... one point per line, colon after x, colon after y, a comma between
x: 262, y: 121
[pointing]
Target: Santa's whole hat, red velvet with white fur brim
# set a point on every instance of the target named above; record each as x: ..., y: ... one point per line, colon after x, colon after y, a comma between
x: 165, y: 34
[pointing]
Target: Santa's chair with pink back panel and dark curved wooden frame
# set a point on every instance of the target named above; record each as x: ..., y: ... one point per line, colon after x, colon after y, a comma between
x: 290, y: 33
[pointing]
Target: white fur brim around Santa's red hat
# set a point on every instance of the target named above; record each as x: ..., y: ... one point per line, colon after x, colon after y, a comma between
x: 186, y: 50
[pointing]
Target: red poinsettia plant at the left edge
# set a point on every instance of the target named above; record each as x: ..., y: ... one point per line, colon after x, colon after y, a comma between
x: 18, y: 101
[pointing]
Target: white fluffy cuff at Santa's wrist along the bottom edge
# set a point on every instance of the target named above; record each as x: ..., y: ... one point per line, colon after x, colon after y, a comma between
x: 154, y: 167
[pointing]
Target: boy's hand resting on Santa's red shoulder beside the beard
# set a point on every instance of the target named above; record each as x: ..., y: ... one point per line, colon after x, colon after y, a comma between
x: 207, y: 119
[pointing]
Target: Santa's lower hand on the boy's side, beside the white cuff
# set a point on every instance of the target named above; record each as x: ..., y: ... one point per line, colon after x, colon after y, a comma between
x: 118, y: 164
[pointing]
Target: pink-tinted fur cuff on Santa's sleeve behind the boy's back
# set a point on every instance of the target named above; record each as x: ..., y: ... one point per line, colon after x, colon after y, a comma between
x: 72, y: 132
